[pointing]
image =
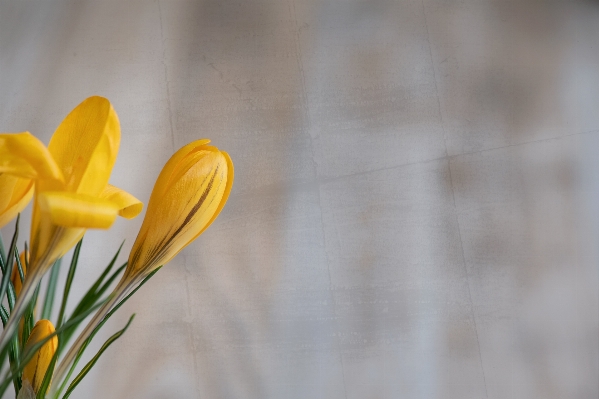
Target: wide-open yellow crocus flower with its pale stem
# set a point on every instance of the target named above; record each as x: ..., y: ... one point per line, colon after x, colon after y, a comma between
x: 72, y: 192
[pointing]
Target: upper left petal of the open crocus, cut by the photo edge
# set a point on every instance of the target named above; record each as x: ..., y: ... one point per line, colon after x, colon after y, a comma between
x: 23, y: 155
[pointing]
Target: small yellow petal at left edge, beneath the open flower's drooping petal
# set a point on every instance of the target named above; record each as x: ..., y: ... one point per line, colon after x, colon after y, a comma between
x: 15, y: 194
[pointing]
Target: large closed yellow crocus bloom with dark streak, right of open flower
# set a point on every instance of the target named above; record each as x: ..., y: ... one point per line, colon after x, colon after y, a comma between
x: 188, y: 195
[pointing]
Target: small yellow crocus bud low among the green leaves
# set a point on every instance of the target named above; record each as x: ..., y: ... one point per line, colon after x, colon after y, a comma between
x: 35, y: 370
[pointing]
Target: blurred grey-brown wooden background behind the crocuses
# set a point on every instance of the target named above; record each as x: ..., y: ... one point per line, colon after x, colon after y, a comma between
x: 415, y: 209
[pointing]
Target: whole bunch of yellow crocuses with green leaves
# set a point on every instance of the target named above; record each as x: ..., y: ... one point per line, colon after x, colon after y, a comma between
x: 68, y: 182
